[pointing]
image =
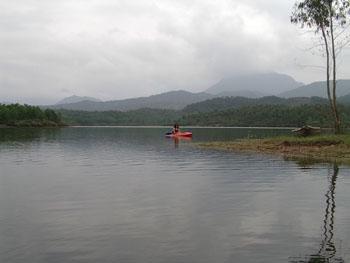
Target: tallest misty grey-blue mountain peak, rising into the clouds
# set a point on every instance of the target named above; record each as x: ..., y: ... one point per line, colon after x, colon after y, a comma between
x: 254, y: 85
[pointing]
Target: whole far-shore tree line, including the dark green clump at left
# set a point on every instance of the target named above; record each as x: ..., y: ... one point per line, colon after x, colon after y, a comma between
x: 245, y: 116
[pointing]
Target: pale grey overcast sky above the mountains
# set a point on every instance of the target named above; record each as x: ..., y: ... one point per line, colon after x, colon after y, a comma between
x: 113, y: 49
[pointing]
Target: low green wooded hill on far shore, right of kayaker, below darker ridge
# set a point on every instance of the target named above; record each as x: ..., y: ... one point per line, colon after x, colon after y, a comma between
x: 267, y: 116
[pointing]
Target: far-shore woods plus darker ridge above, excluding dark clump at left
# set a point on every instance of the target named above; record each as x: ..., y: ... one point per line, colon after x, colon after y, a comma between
x: 228, y: 111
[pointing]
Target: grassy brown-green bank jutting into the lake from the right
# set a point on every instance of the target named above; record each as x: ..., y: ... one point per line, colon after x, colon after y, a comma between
x: 321, y: 148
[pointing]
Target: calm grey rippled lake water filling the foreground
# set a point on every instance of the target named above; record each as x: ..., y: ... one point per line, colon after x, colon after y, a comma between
x: 130, y: 195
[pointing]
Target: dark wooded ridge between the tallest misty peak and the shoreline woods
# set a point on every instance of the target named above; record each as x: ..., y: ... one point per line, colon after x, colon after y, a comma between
x: 225, y: 103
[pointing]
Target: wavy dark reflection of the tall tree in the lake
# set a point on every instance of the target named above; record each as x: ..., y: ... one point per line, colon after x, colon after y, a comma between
x: 327, y: 251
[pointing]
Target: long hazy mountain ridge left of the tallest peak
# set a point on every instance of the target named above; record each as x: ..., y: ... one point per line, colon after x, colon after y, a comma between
x: 174, y: 100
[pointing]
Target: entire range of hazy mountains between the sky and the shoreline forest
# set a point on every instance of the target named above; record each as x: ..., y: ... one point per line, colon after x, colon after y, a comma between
x: 227, y: 93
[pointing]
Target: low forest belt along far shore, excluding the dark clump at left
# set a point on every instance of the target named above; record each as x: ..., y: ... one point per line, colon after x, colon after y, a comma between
x: 248, y: 116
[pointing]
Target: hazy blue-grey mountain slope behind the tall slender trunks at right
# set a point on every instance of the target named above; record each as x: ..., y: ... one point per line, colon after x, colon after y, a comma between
x: 318, y: 88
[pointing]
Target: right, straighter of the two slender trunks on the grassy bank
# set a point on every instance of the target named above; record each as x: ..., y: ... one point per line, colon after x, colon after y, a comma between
x: 337, y: 121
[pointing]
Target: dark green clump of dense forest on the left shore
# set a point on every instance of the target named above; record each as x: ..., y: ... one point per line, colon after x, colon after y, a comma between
x: 28, y: 116
